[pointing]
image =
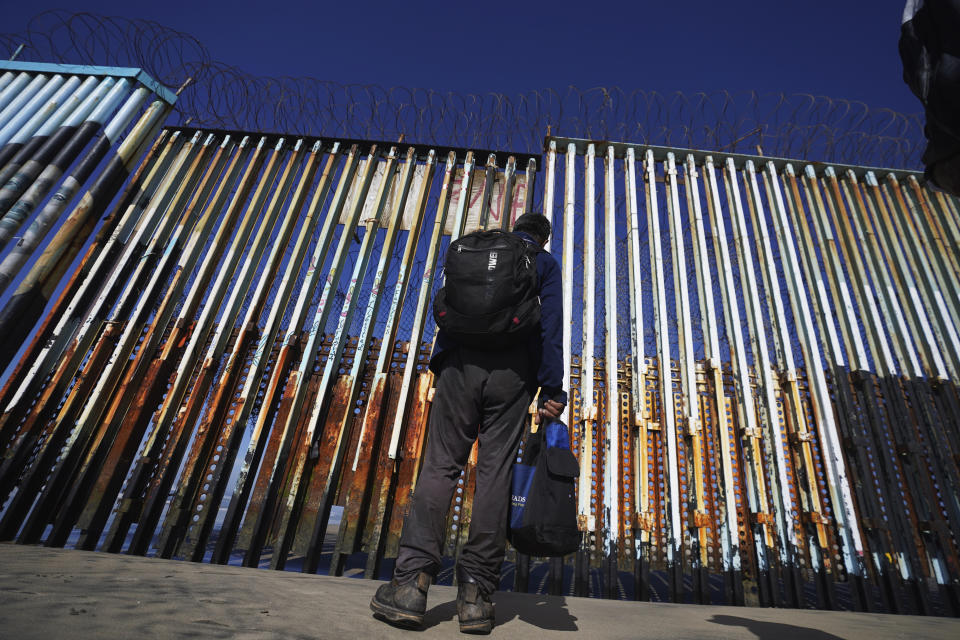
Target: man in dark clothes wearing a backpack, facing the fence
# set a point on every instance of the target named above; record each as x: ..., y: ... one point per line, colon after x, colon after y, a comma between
x: 500, y: 338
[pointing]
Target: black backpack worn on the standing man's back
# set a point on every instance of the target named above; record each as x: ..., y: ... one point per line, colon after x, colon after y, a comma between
x: 490, y: 297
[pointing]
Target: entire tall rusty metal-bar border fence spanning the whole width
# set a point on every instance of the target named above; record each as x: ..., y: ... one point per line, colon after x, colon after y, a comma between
x: 215, y: 360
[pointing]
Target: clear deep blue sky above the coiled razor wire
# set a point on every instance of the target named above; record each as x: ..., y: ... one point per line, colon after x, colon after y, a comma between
x: 838, y: 48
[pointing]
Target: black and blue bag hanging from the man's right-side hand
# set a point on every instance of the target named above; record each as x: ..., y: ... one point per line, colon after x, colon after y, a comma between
x: 543, y: 508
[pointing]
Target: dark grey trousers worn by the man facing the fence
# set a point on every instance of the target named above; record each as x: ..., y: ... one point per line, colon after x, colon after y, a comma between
x: 479, y: 394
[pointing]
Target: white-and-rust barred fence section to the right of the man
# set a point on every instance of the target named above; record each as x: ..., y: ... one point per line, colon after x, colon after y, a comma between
x: 802, y: 424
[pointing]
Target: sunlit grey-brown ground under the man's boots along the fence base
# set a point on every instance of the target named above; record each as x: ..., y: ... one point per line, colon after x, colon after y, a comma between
x: 80, y: 595
